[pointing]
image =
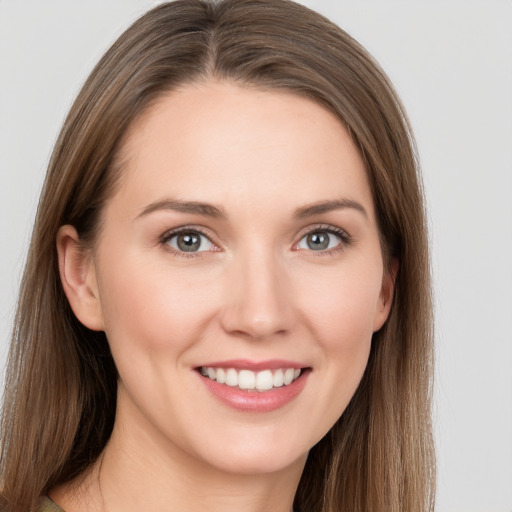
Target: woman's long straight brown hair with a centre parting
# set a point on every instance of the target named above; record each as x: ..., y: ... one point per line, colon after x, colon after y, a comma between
x: 60, y: 397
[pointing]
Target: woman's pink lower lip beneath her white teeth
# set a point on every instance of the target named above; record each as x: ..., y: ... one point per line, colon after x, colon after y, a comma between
x: 256, y: 401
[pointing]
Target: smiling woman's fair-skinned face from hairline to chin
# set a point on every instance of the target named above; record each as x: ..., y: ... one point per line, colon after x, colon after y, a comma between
x: 240, y: 250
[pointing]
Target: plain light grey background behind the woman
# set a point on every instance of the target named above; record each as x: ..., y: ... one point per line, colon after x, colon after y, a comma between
x: 451, y: 61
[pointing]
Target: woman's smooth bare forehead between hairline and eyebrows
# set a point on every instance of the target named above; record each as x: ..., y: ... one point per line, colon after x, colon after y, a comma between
x: 220, y: 142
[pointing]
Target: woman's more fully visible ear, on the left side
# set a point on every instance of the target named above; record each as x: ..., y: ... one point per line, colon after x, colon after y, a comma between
x: 78, y: 277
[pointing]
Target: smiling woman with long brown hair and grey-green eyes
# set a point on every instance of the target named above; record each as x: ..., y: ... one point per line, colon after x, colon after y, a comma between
x: 226, y: 301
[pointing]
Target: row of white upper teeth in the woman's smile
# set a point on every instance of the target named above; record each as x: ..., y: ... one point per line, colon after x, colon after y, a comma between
x: 251, y: 381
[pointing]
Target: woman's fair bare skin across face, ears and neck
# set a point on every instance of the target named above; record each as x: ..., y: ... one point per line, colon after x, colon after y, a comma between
x: 257, y: 292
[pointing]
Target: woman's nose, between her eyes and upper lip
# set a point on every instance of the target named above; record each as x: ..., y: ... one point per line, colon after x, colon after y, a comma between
x: 258, y: 301
